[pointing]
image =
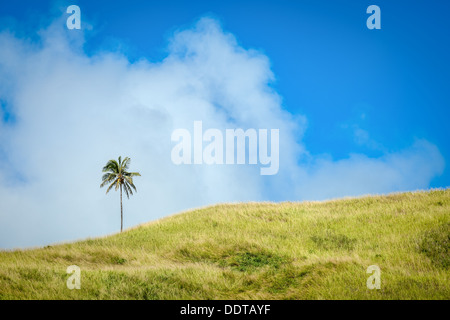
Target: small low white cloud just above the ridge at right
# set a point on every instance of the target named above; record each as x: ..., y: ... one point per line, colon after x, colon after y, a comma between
x: 408, y: 169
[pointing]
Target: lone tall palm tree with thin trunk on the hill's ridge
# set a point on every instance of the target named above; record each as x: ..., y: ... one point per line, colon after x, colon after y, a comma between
x: 117, y: 175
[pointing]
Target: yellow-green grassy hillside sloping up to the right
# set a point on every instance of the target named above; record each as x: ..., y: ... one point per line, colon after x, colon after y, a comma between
x: 308, y: 250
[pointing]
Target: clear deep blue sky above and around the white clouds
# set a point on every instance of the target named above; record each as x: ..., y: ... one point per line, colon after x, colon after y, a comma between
x: 327, y: 64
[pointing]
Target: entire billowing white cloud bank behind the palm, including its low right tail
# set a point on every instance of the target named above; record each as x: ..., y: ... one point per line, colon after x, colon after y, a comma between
x: 69, y: 113
